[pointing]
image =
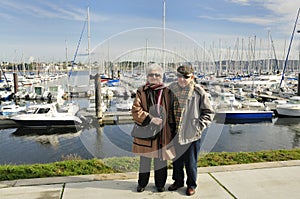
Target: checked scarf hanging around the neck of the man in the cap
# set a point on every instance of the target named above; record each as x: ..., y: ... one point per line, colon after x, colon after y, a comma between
x: 180, y: 101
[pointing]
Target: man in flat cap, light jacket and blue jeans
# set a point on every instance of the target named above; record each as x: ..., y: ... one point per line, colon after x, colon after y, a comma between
x: 191, y: 114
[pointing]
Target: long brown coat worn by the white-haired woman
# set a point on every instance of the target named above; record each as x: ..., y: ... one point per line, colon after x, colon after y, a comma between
x: 150, y: 148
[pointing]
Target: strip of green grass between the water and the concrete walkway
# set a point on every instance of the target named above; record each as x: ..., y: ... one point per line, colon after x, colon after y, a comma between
x: 77, y: 166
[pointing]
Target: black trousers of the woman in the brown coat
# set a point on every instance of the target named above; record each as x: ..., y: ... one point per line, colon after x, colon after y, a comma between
x: 160, y: 171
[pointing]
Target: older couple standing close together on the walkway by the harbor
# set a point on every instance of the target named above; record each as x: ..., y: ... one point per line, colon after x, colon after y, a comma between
x: 183, y: 110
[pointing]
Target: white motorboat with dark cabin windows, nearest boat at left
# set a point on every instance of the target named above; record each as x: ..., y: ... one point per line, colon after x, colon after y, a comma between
x: 46, y: 116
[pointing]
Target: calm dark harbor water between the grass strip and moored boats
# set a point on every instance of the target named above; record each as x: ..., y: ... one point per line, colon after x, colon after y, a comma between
x: 93, y: 141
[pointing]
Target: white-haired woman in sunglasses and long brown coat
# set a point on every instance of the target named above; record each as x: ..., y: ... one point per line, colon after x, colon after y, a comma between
x: 151, y: 105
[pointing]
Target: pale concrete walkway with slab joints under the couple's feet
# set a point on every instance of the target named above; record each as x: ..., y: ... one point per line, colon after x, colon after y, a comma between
x: 272, y: 180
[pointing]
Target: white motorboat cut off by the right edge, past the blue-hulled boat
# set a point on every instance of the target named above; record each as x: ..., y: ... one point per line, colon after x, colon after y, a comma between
x: 290, y: 109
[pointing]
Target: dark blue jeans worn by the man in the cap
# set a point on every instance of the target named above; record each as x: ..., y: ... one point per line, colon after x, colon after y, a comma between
x: 188, y: 157
